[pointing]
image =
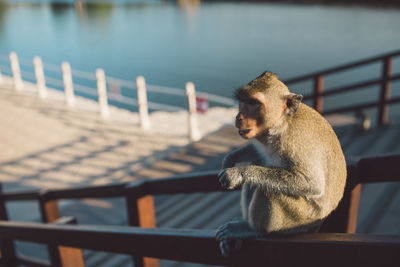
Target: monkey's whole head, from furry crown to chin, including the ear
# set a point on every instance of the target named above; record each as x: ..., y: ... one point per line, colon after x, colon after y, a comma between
x: 264, y: 103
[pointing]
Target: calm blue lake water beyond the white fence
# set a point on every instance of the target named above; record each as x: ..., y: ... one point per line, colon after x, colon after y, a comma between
x: 218, y: 46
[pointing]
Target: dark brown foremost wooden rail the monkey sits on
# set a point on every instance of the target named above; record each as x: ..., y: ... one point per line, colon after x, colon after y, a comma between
x: 200, y: 246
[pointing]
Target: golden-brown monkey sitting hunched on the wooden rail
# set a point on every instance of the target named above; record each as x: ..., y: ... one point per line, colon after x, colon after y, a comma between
x: 297, y: 171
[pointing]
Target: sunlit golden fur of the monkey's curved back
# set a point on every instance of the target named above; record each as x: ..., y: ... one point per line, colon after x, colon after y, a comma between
x: 319, y: 142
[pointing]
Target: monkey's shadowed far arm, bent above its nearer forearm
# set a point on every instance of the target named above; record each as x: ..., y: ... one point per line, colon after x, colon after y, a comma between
x: 247, y: 153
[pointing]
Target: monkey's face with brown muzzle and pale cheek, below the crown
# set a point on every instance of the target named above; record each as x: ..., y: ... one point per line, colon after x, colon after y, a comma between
x: 255, y: 117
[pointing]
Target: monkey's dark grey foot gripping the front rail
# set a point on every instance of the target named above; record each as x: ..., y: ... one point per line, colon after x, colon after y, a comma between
x: 236, y: 230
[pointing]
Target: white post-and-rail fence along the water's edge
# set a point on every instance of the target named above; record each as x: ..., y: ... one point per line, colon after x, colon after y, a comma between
x: 105, y: 89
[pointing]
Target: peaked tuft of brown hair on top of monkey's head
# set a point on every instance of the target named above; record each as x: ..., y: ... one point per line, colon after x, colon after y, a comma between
x: 267, y: 82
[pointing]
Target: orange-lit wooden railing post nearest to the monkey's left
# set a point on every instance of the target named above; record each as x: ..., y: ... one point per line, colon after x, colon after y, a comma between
x: 141, y: 212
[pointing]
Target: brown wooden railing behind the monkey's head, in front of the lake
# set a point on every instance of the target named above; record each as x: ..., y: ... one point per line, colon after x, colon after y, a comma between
x: 383, y: 102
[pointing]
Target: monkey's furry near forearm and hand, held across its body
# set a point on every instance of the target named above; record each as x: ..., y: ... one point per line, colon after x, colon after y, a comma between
x: 273, y: 180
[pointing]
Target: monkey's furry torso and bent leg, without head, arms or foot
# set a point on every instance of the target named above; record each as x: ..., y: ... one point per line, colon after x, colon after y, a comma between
x: 311, y: 141
